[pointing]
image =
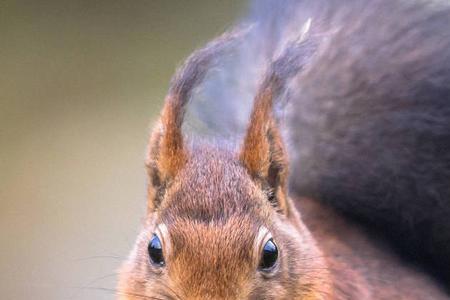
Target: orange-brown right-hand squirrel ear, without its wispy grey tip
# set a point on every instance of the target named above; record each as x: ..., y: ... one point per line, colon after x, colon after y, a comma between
x: 263, y: 152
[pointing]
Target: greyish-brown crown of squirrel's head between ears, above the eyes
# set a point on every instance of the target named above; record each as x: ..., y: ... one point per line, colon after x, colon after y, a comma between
x: 213, y: 186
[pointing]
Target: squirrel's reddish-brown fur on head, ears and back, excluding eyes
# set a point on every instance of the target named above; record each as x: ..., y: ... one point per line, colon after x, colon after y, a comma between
x: 209, y: 205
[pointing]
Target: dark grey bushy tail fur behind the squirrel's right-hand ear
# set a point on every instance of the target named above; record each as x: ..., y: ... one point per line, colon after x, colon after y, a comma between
x: 369, y: 120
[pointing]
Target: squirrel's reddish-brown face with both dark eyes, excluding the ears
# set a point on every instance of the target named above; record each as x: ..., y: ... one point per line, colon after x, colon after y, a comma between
x: 216, y: 235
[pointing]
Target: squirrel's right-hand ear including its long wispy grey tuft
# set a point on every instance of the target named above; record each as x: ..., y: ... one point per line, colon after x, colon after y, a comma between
x: 263, y: 152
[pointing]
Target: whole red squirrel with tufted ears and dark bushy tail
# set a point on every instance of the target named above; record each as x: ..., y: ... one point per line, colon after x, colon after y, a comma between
x: 356, y: 203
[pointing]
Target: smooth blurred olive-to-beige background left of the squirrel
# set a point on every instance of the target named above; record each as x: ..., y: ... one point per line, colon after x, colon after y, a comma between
x: 80, y: 84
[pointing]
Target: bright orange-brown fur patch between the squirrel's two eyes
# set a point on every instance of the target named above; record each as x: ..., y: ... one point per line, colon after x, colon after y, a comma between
x: 199, y: 250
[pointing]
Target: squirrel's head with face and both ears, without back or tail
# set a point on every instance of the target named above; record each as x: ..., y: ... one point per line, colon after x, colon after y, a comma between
x: 219, y: 223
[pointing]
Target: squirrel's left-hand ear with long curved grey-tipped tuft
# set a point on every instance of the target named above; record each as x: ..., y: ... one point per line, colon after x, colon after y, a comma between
x: 167, y: 154
